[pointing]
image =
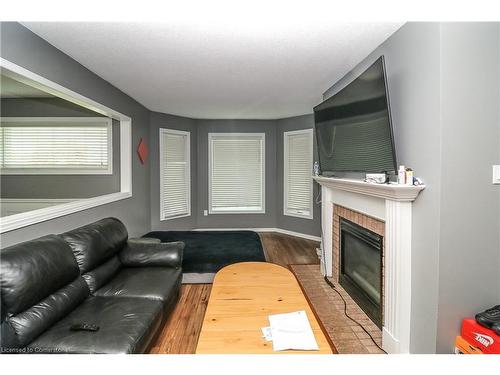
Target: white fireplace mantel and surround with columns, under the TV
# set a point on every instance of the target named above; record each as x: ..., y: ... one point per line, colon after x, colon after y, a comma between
x: 389, y: 204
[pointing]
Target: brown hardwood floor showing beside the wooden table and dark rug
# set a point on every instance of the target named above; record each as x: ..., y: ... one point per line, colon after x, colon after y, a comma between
x: 180, y: 333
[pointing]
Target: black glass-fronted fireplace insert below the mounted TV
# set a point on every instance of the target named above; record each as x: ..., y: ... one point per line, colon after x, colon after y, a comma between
x: 361, y: 267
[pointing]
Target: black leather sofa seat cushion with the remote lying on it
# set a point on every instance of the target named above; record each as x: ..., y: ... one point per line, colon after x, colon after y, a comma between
x: 126, y: 325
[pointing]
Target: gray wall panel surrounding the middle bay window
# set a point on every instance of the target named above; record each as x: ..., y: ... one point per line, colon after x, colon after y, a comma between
x: 267, y: 220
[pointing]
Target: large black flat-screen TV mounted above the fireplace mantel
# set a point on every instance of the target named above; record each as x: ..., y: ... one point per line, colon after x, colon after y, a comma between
x: 353, y: 127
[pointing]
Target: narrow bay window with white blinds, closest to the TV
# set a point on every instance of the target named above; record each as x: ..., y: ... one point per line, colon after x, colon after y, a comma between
x: 298, y: 183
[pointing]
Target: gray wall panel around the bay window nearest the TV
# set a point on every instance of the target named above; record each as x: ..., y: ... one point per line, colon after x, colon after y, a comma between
x: 307, y: 226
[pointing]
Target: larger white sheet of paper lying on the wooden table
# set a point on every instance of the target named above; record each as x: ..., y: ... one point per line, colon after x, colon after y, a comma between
x: 292, y: 331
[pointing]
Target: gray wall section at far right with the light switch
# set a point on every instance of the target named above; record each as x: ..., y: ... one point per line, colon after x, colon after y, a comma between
x: 469, y: 256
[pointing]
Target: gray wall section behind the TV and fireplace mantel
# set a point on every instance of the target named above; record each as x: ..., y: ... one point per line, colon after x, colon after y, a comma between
x: 413, y: 75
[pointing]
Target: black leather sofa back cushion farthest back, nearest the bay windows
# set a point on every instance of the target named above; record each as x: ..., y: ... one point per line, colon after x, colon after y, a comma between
x: 95, y: 243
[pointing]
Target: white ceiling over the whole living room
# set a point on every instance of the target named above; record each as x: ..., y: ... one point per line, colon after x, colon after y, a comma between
x: 213, y: 69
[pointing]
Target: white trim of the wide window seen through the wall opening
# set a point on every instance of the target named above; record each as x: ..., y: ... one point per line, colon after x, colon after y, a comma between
x: 35, y: 121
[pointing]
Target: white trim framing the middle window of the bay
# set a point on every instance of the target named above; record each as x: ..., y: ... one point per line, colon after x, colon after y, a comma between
x: 263, y: 186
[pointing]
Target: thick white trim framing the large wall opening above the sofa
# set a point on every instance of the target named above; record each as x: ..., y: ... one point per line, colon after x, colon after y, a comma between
x: 9, y: 223
